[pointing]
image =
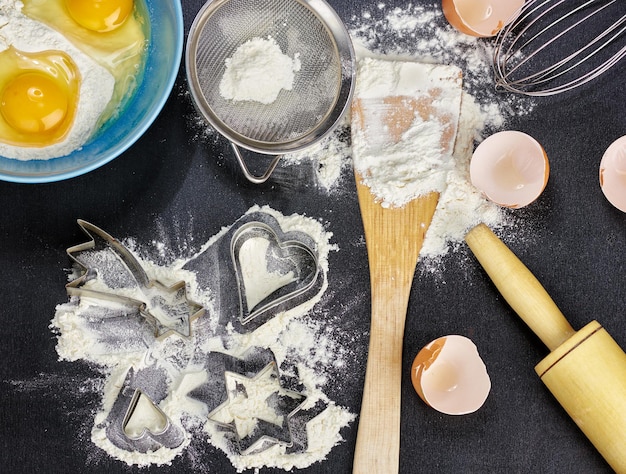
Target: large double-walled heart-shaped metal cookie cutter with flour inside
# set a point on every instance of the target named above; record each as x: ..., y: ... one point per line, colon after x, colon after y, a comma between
x: 271, y: 270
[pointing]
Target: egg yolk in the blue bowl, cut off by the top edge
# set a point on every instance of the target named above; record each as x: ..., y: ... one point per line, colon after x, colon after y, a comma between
x: 99, y: 15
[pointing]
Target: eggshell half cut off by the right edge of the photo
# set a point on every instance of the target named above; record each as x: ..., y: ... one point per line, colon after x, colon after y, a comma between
x: 613, y: 173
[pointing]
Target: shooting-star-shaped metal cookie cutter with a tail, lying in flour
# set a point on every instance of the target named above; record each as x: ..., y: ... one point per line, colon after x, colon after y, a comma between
x: 166, y: 308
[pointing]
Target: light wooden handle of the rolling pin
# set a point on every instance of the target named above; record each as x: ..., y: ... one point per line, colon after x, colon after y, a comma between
x: 519, y: 287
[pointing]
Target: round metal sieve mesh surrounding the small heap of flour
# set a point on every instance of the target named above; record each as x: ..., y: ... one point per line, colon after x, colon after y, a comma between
x: 317, y: 87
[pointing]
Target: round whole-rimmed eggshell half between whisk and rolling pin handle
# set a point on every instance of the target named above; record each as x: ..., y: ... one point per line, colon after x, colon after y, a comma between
x: 511, y: 168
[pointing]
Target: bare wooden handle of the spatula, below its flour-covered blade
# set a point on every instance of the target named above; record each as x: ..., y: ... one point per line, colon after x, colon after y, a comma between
x: 394, y: 237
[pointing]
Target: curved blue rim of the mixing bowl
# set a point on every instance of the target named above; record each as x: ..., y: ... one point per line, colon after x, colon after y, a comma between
x: 142, y: 126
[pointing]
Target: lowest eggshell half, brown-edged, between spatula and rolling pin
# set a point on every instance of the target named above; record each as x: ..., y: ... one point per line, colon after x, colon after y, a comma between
x: 450, y: 376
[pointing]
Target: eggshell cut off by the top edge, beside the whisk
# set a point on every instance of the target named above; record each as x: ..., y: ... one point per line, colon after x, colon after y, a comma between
x: 481, y: 18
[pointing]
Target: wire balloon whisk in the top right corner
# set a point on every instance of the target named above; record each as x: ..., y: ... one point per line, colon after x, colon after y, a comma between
x: 553, y: 46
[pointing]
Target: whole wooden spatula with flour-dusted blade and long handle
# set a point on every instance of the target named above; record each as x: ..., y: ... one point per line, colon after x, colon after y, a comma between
x: 381, y: 118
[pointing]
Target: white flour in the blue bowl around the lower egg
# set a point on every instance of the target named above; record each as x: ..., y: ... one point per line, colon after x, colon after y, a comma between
x: 96, y: 88
